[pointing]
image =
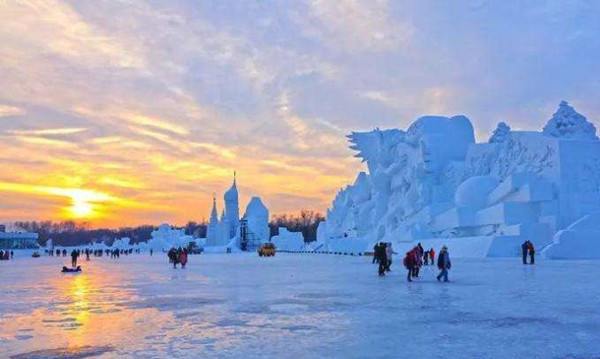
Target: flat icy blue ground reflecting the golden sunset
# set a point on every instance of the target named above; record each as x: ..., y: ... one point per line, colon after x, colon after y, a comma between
x: 293, y: 306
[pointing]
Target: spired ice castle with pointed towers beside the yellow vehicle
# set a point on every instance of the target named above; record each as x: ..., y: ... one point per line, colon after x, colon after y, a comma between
x: 229, y: 230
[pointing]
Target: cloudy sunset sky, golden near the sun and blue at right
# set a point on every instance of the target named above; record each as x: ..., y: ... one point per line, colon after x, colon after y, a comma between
x: 130, y: 112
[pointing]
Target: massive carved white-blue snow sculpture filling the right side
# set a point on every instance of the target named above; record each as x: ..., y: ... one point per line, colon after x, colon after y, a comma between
x: 434, y: 184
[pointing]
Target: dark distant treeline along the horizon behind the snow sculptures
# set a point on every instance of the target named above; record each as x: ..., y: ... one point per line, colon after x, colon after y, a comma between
x: 72, y: 233
